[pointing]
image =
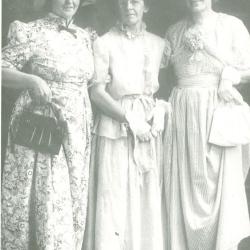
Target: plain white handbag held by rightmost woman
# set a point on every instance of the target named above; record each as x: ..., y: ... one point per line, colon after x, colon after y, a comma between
x: 230, y: 125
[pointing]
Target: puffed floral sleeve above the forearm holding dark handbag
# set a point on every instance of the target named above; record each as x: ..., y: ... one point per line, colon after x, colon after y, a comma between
x: 18, y: 50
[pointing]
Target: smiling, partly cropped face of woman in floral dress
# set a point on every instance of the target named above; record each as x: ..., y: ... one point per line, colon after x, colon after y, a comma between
x: 65, y: 8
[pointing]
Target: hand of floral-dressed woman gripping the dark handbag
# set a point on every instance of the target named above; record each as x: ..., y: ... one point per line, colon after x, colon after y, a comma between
x: 40, y: 92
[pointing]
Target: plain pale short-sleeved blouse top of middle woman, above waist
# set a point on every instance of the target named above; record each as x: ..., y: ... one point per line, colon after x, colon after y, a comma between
x: 124, y: 60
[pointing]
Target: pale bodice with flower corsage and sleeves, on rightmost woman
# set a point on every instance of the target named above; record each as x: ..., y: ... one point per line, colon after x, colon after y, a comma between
x: 207, y: 50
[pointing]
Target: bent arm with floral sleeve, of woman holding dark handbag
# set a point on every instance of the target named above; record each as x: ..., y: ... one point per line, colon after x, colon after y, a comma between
x: 14, y: 56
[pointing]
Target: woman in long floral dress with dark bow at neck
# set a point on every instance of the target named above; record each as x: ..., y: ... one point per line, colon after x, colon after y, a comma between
x: 44, y: 197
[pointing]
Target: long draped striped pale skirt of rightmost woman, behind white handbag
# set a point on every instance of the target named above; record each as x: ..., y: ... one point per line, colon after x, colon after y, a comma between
x: 204, y: 184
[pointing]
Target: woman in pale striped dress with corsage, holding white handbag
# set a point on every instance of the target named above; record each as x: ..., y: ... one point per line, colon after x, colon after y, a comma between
x: 204, y: 182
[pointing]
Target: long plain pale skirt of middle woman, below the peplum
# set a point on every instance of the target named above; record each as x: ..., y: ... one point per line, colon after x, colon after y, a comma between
x: 124, y: 210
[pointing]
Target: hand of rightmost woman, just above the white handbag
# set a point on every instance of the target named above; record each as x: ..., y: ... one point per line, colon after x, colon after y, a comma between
x: 228, y: 93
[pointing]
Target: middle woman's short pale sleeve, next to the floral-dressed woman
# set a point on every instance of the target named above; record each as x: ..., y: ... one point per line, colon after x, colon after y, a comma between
x: 101, y: 62
